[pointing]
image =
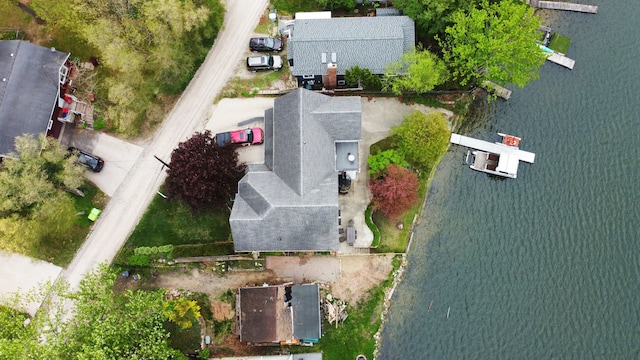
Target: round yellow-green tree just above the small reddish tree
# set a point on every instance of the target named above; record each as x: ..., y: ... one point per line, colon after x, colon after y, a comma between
x: 422, y: 138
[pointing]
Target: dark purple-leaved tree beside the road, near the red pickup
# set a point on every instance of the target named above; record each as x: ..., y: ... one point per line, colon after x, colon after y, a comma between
x: 202, y: 174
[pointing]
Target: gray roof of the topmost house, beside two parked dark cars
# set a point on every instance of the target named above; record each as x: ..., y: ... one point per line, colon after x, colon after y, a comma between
x: 368, y: 42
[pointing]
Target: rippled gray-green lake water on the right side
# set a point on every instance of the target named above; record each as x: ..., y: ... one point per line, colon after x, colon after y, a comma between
x: 545, y: 266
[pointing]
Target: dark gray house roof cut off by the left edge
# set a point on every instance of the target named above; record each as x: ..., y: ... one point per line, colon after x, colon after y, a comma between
x: 29, y: 89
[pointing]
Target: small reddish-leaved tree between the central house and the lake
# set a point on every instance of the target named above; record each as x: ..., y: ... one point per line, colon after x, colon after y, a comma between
x: 396, y: 192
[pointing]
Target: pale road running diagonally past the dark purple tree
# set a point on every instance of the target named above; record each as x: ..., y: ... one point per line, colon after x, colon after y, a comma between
x: 190, y: 114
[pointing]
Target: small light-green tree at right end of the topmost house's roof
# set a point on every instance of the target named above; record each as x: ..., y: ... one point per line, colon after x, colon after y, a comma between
x: 418, y: 70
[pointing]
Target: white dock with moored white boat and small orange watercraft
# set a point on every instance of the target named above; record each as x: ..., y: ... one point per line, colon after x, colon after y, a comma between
x: 499, y: 158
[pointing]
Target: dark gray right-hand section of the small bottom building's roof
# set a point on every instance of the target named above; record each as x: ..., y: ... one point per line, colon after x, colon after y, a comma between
x: 305, y: 300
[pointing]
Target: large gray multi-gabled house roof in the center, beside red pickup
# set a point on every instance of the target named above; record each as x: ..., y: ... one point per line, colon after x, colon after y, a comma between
x: 290, y: 203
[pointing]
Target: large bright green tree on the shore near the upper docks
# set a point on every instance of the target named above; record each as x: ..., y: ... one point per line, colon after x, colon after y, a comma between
x: 495, y: 42
